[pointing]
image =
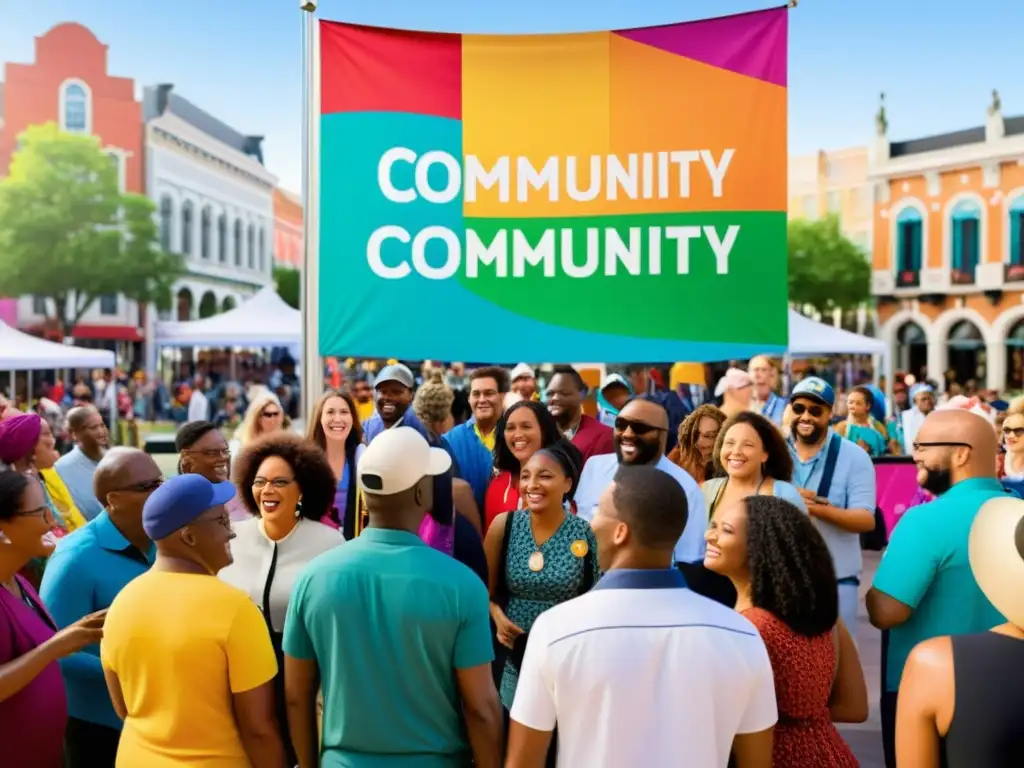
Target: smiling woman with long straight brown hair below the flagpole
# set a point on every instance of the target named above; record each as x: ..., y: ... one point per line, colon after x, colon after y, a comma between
x: 335, y: 430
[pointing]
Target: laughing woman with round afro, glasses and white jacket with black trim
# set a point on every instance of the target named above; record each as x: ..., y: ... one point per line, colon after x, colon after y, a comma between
x: 287, y: 486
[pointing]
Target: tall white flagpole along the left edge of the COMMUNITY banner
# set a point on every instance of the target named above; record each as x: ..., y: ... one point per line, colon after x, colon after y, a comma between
x: 313, y: 366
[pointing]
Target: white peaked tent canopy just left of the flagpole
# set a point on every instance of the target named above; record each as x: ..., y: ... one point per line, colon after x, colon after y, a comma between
x: 265, y: 321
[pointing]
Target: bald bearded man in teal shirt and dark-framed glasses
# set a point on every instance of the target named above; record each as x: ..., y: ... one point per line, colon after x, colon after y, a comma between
x: 924, y: 587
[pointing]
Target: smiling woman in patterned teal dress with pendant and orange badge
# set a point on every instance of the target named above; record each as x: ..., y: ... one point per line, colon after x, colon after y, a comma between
x: 539, y: 557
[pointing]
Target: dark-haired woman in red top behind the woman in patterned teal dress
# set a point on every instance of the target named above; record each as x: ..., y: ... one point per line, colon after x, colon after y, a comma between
x: 523, y: 431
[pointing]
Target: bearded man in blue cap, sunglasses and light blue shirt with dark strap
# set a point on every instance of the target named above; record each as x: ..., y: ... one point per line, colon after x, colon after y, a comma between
x: 837, y: 480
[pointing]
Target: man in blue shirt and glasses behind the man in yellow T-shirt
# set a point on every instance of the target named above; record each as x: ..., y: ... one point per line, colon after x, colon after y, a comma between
x: 87, y: 572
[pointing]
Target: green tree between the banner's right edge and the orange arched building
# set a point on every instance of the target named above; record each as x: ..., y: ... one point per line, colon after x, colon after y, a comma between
x: 827, y: 271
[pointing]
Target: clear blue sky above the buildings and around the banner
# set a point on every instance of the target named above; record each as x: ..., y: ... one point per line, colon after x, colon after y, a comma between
x: 241, y: 60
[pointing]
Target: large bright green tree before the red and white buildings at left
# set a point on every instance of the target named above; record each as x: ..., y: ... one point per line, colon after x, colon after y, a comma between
x: 69, y: 234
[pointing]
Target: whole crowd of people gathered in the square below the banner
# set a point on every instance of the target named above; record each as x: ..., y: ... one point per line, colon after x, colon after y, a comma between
x: 532, y: 586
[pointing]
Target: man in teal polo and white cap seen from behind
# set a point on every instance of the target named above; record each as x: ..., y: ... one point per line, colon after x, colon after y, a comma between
x: 398, y: 633
